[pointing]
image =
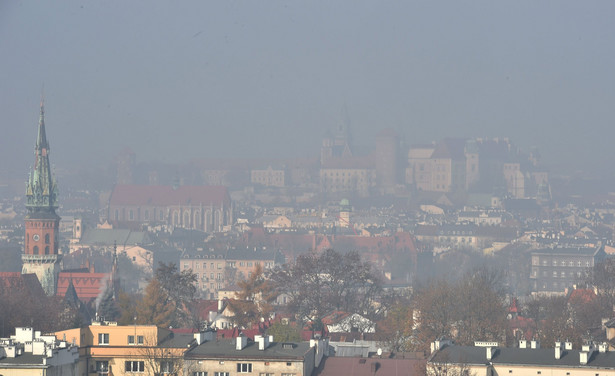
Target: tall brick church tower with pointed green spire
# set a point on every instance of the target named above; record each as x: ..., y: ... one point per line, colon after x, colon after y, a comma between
x: 41, y: 254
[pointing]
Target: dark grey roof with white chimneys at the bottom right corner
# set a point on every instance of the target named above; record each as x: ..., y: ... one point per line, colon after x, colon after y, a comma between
x: 516, y: 356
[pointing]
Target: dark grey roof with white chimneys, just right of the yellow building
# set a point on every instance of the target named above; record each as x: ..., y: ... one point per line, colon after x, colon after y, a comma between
x: 225, y: 348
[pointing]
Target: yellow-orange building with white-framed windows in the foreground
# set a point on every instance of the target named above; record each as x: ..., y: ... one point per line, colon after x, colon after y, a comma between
x: 108, y: 349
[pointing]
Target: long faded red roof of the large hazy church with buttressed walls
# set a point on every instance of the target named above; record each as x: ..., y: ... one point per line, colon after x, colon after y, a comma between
x: 160, y: 195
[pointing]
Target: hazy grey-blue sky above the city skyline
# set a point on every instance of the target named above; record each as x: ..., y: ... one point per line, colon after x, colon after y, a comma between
x: 176, y: 80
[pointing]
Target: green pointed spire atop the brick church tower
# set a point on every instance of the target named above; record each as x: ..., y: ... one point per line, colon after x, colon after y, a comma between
x: 41, y: 189
